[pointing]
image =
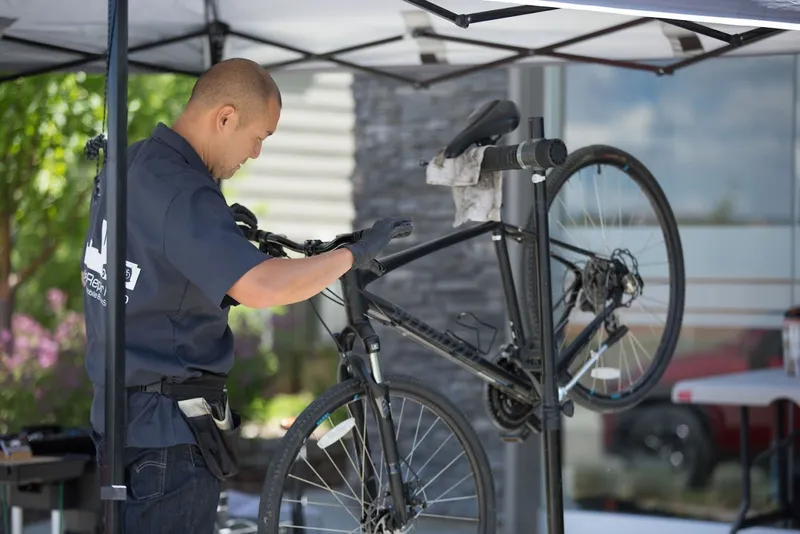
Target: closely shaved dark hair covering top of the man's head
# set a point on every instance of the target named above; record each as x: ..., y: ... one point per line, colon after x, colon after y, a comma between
x: 240, y: 83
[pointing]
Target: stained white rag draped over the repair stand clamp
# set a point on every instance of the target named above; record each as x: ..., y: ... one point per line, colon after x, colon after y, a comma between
x: 478, y: 196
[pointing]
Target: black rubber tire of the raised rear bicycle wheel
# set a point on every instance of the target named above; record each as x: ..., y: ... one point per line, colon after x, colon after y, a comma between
x: 638, y: 172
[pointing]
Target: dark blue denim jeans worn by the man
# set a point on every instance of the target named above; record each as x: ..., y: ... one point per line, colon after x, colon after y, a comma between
x: 170, y: 491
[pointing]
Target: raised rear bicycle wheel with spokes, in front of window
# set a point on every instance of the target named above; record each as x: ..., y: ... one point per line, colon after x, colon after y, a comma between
x: 598, y: 280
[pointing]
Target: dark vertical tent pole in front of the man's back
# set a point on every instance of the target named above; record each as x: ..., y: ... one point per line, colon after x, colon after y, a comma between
x: 113, y: 491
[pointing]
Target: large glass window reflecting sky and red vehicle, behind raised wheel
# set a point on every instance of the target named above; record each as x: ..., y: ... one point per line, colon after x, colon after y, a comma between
x: 719, y: 138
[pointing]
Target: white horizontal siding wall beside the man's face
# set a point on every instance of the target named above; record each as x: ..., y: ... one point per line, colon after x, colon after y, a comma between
x: 300, y: 186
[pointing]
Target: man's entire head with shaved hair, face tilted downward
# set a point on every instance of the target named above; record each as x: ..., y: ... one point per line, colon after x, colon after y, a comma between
x: 234, y: 106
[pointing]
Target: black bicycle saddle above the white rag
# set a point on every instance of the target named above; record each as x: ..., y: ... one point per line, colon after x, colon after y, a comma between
x: 493, y: 119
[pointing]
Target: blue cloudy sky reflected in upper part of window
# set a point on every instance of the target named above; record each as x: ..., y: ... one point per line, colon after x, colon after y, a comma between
x: 717, y: 136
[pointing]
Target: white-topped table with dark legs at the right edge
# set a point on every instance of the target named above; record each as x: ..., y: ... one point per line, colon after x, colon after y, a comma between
x: 758, y: 388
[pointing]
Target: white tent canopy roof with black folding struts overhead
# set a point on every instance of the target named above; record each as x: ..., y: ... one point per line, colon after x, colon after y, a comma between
x: 391, y: 35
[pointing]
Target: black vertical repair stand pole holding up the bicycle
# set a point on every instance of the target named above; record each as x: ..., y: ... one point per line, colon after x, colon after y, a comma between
x: 551, y: 408
